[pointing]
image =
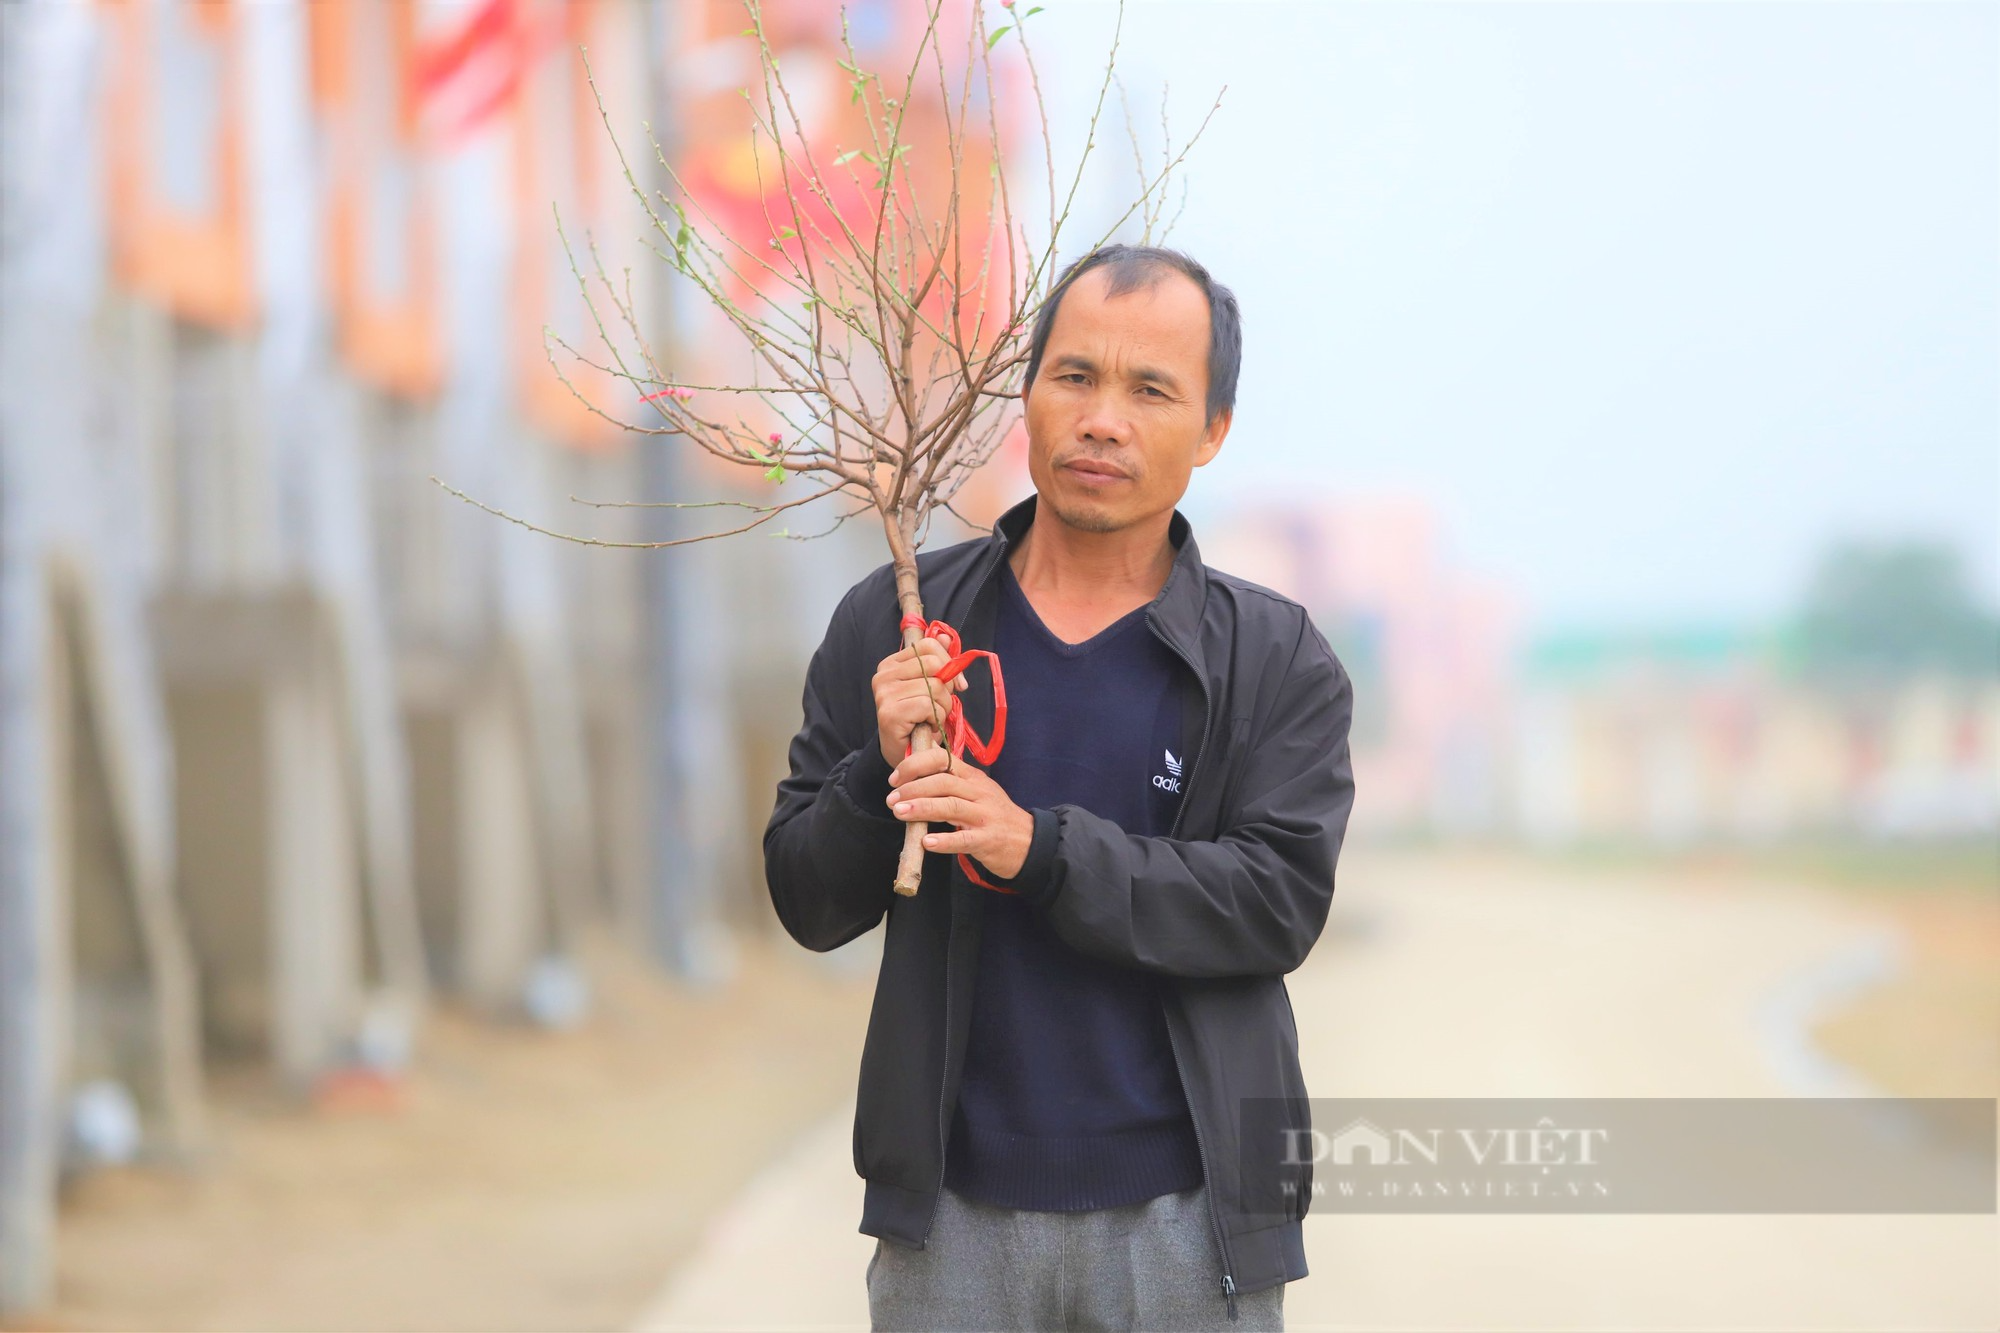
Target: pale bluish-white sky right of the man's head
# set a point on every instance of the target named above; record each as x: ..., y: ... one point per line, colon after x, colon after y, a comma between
x: 1649, y: 299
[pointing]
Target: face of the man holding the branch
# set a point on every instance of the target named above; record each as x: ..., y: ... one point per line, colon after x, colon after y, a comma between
x: 1117, y: 413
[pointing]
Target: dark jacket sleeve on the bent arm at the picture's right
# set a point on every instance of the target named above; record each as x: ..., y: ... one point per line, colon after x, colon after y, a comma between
x: 1251, y: 902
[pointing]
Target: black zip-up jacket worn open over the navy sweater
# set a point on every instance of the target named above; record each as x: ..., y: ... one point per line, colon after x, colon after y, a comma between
x: 1223, y: 908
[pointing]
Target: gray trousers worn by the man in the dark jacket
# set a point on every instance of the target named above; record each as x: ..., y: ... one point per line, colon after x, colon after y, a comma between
x: 1145, y: 1266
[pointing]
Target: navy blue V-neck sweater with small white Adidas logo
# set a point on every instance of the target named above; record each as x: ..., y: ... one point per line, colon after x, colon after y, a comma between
x: 1071, y: 1098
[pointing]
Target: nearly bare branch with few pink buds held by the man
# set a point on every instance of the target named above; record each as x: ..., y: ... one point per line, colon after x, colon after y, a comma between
x: 885, y: 315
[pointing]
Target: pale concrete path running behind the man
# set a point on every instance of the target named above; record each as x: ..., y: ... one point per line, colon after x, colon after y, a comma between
x: 1495, y: 978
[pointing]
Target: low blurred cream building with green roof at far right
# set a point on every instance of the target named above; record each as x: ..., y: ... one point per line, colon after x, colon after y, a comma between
x: 1715, y: 736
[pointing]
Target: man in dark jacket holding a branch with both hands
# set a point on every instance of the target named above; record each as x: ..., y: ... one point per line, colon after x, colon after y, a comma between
x: 1055, y: 1080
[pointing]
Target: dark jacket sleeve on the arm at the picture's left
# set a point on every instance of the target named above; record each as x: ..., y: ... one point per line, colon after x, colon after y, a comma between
x: 831, y: 846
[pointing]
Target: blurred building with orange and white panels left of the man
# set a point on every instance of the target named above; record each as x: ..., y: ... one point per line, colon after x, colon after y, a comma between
x: 291, y: 740
